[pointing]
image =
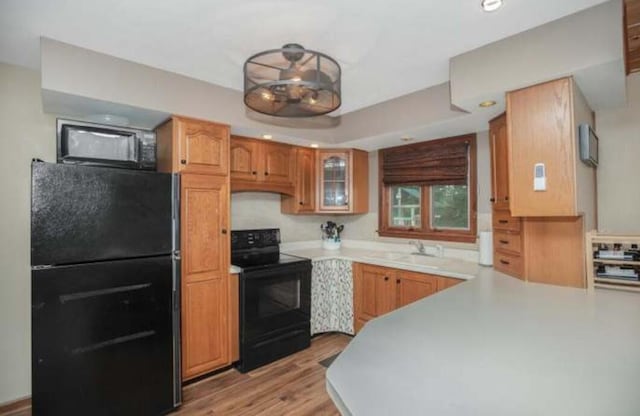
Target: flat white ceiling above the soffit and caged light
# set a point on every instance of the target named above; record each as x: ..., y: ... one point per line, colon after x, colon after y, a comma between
x: 386, y: 49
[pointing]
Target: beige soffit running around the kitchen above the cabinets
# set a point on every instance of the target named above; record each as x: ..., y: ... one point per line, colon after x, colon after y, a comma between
x: 587, y: 45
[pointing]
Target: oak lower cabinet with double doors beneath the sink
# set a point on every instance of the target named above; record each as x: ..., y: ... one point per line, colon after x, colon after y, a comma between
x: 378, y: 290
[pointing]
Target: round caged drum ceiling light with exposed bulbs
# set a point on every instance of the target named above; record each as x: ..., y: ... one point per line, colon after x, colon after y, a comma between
x: 292, y: 82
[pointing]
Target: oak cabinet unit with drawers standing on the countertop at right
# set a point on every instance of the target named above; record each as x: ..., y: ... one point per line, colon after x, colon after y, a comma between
x: 539, y: 233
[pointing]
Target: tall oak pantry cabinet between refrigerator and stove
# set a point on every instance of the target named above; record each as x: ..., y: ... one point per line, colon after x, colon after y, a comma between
x: 198, y: 150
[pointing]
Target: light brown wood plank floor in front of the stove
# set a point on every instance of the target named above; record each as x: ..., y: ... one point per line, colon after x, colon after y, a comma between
x: 293, y: 386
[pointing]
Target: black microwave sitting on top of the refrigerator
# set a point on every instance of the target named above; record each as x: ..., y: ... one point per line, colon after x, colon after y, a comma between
x: 94, y: 144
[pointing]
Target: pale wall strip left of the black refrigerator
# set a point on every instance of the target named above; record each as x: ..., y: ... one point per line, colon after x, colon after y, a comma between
x: 25, y: 133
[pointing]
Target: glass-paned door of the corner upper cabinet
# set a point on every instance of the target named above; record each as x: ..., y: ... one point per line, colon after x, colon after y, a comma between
x: 334, y: 183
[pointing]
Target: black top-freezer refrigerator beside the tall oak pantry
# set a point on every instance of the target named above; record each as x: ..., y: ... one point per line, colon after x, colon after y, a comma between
x: 105, y: 291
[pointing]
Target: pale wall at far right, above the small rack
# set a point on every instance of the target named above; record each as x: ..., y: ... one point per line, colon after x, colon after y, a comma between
x: 618, y: 190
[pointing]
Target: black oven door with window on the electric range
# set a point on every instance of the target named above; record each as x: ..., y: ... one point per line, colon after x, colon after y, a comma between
x: 274, y: 300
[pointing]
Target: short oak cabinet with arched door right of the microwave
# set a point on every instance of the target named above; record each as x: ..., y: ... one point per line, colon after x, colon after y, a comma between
x: 191, y: 145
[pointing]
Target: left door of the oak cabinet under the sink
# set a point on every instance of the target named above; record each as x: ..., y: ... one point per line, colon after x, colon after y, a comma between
x: 374, y: 293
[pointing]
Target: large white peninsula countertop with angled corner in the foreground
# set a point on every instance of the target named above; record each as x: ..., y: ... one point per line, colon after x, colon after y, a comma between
x: 496, y: 346
